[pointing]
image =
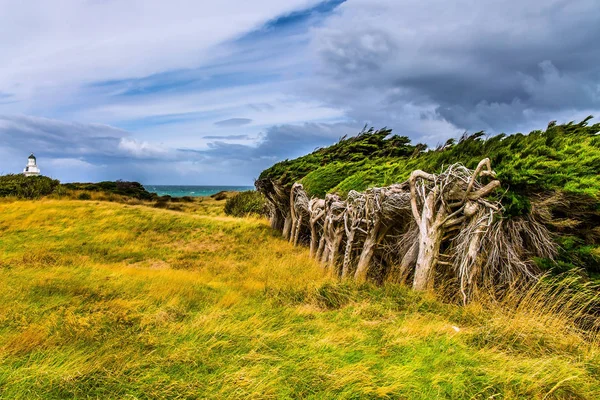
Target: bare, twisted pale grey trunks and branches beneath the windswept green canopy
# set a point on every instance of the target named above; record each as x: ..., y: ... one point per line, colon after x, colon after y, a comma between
x: 458, y: 233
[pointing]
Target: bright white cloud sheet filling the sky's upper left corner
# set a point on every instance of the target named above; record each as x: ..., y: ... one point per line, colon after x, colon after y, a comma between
x: 50, y: 46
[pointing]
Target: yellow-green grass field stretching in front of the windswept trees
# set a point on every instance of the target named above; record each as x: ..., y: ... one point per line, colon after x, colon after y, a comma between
x: 108, y: 300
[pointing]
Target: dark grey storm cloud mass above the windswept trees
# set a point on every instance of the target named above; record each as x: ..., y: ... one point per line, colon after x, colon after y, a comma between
x: 479, y: 65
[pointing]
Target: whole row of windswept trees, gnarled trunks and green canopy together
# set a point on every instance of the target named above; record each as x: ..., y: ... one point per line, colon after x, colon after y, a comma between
x: 478, y: 212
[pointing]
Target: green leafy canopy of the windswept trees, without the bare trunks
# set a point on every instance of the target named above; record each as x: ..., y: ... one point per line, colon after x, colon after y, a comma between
x: 563, y: 159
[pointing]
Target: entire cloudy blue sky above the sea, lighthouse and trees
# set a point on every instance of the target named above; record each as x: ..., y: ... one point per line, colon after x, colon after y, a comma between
x: 205, y: 92
